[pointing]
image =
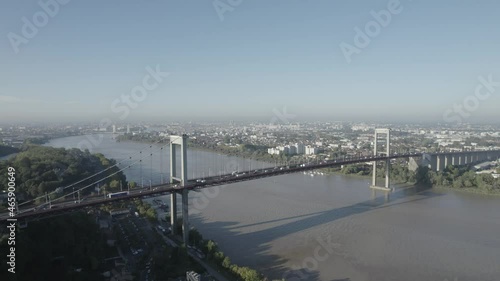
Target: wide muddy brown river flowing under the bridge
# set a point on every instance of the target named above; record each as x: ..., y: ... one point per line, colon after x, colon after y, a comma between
x: 328, y: 228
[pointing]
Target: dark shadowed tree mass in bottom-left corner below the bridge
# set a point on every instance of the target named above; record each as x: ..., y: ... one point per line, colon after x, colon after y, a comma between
x: 75, y: 237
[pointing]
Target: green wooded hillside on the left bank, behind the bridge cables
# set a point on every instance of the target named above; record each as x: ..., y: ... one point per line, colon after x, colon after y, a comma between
x: 41, y: 170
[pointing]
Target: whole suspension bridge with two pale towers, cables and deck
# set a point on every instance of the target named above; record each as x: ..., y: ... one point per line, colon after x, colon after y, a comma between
x: 215, y: 172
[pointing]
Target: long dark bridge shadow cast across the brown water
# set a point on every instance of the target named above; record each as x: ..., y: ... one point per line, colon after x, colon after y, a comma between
x: 273, y: 265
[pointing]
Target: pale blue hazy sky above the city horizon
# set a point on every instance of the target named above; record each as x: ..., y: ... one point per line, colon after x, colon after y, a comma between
x: 247, y: 58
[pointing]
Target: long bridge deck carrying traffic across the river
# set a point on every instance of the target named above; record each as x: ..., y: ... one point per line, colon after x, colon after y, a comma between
x: 33, y: 212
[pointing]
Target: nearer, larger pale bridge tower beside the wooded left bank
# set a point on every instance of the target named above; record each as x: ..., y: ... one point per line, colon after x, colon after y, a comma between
x: 179, y: 141
